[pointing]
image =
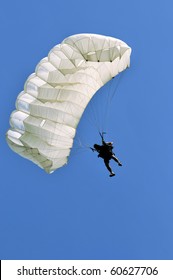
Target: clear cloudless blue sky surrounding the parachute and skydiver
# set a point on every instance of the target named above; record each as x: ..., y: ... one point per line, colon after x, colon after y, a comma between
x: 78, y: 212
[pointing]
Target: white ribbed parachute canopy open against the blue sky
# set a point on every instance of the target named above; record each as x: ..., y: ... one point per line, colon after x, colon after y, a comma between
x: 54, y: 98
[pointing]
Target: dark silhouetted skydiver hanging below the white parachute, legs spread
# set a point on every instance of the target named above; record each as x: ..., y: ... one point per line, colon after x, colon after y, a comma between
x: 105, y: 151
